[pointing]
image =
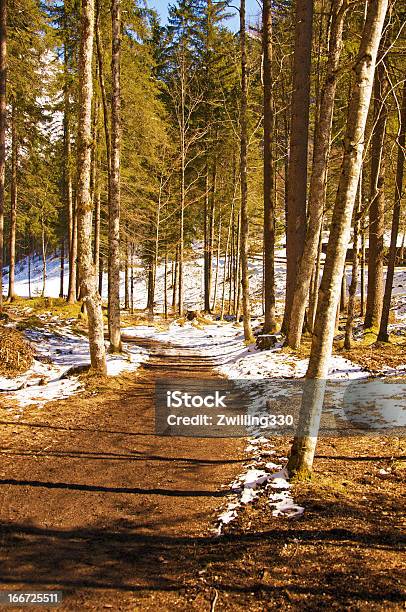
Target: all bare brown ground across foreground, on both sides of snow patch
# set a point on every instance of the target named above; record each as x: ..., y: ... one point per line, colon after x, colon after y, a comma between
x: 94, y: 504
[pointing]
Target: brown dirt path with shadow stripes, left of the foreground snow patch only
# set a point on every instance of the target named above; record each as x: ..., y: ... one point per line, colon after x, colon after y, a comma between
x: 97, y: 506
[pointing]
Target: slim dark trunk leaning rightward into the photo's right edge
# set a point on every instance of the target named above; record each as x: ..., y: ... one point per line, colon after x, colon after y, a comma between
x: 383, y: 335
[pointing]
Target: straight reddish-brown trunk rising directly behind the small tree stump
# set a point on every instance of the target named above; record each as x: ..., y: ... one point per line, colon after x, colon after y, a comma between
x: 269, y: 178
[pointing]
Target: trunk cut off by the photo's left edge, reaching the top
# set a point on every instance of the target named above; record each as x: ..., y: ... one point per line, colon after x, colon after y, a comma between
x: 3, y: 120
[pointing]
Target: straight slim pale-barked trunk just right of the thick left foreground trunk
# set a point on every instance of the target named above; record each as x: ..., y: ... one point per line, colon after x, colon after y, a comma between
x: 114, y: 201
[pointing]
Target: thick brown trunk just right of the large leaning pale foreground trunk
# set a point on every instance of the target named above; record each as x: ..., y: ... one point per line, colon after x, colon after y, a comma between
x: 377, y: 202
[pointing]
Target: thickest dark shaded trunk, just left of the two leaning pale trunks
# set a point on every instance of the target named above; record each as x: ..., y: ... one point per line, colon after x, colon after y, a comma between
x: 299, y: 134
